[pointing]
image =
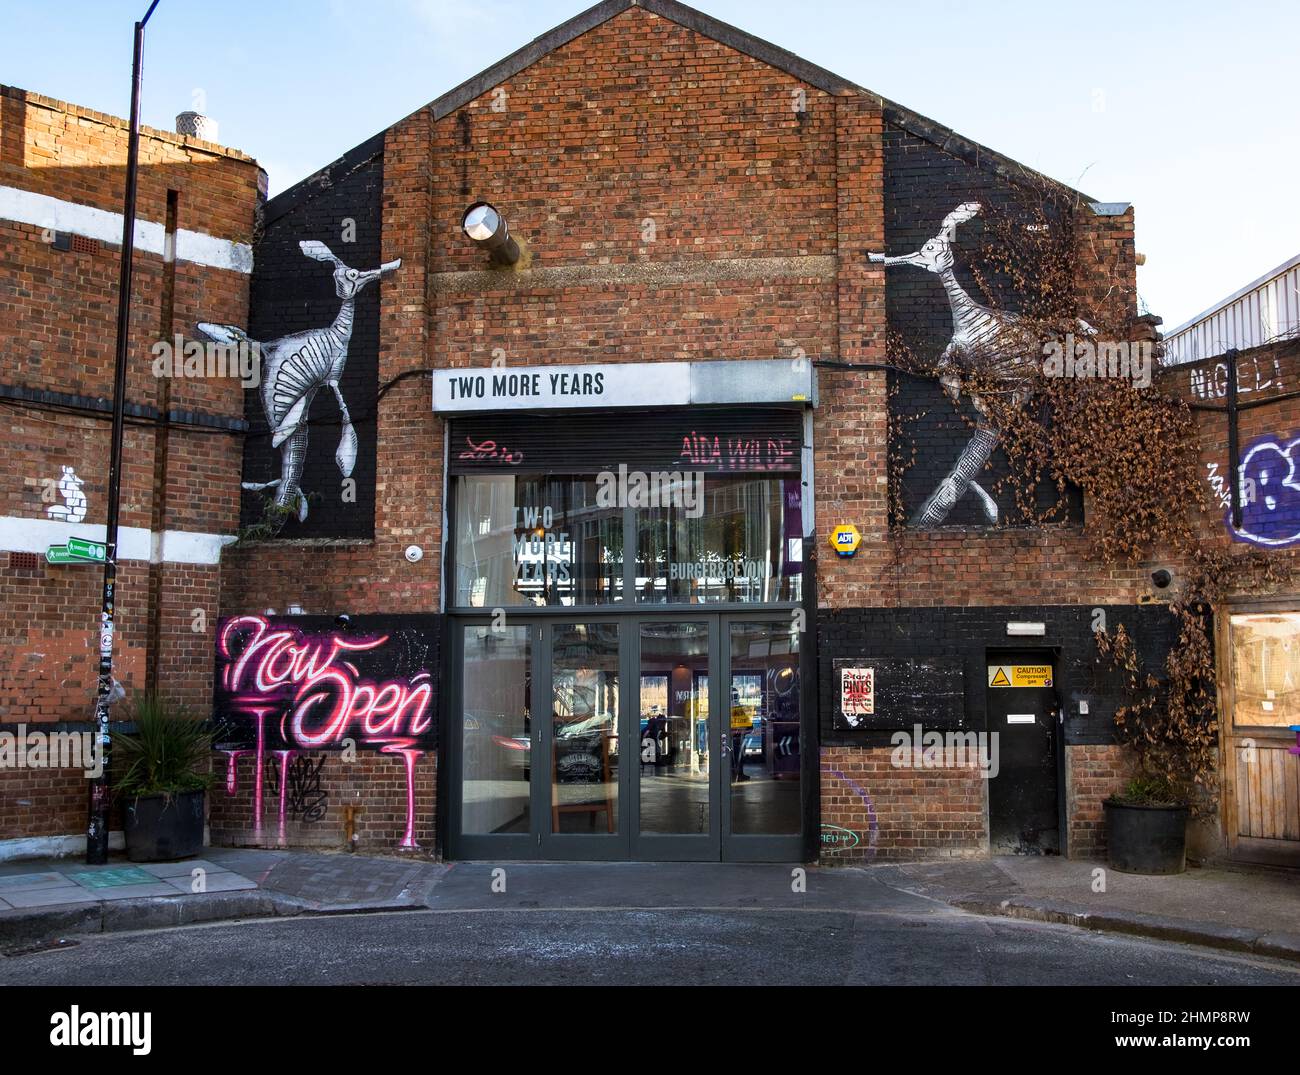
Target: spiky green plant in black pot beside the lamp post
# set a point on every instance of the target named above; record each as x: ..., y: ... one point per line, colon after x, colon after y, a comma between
x: 167, y: 769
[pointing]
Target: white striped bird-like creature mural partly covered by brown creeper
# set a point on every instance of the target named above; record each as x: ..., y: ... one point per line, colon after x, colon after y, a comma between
x: 994, y: 341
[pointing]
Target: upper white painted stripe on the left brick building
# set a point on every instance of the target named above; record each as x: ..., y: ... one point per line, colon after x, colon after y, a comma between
x: 44, y: 211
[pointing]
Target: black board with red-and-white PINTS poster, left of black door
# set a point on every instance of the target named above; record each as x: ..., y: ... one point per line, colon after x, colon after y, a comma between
x: 886, y: 693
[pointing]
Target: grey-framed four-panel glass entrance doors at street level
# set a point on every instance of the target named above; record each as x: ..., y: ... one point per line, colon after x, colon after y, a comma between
x: 629, y: 738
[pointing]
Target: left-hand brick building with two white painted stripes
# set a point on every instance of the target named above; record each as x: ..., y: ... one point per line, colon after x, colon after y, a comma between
x: 62, y: 177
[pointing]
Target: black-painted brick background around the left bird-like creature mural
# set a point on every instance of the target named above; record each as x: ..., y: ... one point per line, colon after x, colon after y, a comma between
x: 293, y: 293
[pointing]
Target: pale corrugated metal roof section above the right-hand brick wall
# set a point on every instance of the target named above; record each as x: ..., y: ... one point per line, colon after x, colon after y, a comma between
x: 1258, y: 314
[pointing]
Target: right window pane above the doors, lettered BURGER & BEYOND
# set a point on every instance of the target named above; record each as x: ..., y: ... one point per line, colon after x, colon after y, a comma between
x: 739, y: 541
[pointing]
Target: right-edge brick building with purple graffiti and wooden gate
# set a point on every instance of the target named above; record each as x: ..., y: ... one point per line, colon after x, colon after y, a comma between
x: 1258, y: 623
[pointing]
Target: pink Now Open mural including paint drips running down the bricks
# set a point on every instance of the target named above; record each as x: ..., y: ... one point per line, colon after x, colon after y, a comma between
x: 301, y: 686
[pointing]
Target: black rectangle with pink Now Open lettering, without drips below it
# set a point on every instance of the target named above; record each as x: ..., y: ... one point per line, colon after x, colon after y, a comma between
x: 306, y: 683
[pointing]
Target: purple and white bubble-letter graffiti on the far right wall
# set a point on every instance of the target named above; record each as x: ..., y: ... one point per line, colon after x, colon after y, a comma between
x: 1271, y: 493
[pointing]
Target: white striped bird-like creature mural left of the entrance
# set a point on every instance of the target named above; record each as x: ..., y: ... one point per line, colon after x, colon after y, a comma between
x: 297, y: 367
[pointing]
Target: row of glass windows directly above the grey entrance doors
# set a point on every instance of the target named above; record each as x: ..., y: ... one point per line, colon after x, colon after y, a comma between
x: 544, y: 540
